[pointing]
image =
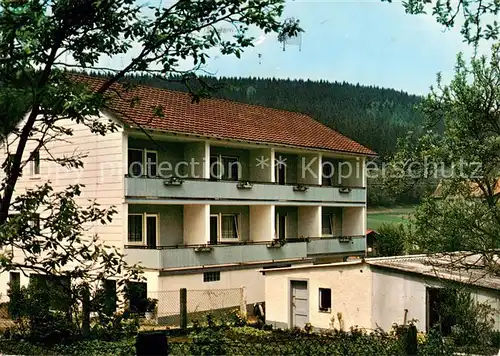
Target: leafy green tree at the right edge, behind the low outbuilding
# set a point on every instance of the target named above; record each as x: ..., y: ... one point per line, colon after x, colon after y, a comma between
x: 464, y: 214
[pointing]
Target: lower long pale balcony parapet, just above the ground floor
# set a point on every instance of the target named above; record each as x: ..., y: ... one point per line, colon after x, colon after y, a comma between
x: 172, y: 257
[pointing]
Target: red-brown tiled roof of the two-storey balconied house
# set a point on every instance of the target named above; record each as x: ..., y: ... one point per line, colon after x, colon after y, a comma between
x: 225, y: 119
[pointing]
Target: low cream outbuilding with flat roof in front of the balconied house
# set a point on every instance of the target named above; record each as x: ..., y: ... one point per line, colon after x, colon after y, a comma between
x: 373, y: 293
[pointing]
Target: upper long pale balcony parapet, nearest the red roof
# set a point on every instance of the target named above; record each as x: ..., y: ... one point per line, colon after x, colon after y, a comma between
x: 147, y: 188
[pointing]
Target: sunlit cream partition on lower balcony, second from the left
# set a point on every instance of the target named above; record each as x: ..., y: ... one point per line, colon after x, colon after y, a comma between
x: 262, y: 220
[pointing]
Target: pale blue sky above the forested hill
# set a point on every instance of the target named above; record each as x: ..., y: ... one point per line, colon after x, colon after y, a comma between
x: 367, y: 42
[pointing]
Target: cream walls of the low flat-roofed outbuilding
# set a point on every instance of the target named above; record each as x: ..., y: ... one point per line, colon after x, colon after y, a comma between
x: 367, y: 296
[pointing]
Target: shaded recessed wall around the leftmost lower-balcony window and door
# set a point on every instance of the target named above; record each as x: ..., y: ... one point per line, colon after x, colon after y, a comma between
x: 171, y: 221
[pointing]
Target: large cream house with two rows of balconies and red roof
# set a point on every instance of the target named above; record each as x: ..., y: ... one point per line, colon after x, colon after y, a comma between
x: 213, y: 192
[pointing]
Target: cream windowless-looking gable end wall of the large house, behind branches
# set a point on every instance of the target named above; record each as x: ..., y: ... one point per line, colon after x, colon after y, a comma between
x: 102, y: 175
